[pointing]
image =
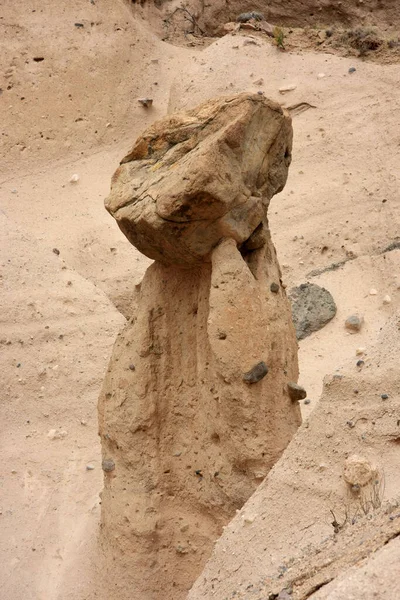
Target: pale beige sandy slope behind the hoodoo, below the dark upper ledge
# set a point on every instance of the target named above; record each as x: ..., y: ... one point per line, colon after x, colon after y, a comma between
x: 345, y: 163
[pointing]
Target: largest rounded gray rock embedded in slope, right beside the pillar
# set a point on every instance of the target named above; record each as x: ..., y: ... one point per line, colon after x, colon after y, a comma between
x: 312, y: 308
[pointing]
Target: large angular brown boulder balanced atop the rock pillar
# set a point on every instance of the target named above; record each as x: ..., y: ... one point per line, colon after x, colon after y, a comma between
x: 194, y: 178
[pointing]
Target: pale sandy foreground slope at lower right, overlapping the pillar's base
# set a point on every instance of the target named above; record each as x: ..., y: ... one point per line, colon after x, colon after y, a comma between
x: 331, y: 501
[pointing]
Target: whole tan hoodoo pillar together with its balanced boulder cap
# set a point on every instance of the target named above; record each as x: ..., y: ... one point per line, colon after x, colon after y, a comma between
x: 195, y: 408
